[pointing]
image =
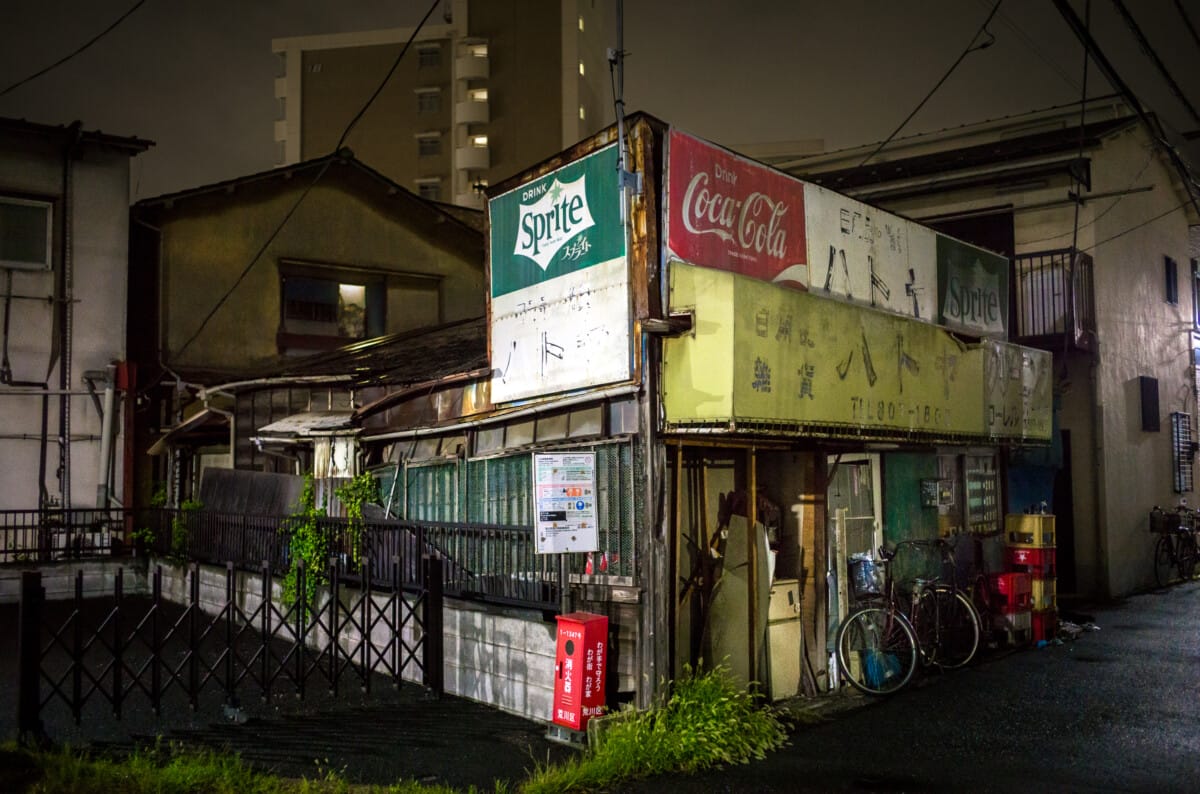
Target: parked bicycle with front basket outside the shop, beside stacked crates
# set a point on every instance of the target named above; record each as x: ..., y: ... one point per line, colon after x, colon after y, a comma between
x: 880, y: 642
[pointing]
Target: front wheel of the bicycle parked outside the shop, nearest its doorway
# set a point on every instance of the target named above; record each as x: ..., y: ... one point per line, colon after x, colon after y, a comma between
x: 877, y: 651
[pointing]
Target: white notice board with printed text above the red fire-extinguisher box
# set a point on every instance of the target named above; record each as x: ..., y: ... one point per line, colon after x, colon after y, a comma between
x: 565, y: 491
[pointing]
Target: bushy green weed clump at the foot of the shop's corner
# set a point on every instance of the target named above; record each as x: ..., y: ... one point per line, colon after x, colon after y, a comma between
x: 707, y: 721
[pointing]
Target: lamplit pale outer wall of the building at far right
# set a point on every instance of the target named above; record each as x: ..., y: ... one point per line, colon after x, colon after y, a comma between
x: 1141, y: 334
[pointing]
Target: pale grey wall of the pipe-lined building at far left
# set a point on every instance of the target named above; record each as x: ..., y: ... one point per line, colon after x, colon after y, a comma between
x: 99, y: 231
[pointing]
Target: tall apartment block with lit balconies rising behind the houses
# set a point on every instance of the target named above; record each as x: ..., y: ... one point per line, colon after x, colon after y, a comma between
x: 487, y: 89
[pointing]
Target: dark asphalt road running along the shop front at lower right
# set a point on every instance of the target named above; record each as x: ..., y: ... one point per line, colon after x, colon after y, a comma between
x: 1115, y: 711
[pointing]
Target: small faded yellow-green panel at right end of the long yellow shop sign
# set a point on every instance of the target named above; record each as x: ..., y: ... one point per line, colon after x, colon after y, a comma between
x: 1019, y: 404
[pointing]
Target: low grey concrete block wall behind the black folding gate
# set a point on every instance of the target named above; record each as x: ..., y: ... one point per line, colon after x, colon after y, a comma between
x: 503, y: 658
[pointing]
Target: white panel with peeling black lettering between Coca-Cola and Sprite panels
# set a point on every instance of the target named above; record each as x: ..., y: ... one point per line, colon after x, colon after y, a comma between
x: 861, y: 254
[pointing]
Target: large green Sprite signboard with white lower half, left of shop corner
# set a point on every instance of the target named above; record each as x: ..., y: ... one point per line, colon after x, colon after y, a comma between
x: 560, y: 309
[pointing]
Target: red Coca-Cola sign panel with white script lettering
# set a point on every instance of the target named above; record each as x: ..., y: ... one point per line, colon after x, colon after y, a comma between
x: 733, y: 214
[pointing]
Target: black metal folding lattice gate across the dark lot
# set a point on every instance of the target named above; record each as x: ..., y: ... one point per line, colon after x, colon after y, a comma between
x: 247, y: 647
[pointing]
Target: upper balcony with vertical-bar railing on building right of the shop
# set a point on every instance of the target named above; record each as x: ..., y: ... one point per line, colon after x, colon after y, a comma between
x: 1053, y: 300
